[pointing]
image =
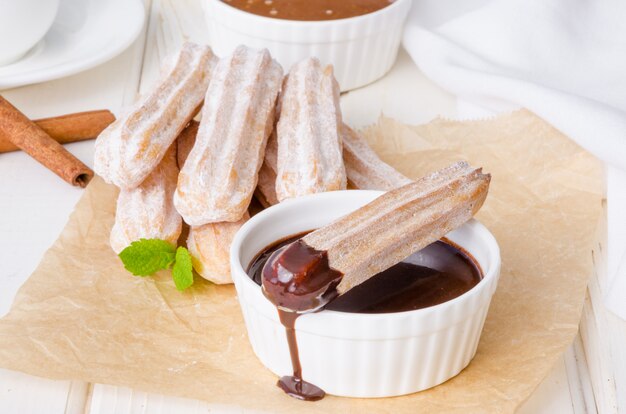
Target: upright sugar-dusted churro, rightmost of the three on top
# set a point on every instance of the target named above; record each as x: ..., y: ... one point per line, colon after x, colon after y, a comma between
x: 309, y: 132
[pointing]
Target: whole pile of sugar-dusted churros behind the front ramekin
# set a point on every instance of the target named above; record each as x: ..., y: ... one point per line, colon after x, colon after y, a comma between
x: 259, y: 134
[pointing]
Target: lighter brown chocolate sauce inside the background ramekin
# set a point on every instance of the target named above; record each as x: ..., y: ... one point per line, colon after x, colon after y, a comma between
x: 309, y: 9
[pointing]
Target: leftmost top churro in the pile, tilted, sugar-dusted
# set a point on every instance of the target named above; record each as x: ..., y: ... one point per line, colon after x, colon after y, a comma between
x: 132, y: 146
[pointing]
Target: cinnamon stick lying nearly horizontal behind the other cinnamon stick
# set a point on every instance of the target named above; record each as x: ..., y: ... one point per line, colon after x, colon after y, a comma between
x: 68, y: 128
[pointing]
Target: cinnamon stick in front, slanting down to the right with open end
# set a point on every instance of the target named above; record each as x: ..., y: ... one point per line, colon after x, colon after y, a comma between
x: 26, y: 135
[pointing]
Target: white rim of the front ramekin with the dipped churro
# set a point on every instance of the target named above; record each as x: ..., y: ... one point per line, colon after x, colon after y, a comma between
x: 491, y: 269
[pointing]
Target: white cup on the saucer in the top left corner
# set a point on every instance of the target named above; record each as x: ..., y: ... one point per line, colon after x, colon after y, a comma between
x: 23, y: 23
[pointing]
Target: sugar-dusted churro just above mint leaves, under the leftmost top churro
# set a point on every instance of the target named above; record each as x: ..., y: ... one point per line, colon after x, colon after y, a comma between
x: 147, y: 211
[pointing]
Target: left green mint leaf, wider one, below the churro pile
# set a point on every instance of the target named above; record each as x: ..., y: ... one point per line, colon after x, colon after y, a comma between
x: 147, y: 256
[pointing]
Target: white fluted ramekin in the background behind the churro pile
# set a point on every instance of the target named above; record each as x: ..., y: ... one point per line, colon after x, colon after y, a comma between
x: 361, y: 49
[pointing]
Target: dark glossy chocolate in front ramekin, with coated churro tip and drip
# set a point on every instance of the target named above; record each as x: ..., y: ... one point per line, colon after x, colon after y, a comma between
x: 438, y: 273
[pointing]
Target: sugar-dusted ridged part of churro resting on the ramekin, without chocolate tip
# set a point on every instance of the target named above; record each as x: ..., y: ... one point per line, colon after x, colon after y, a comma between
x: 400, y: 222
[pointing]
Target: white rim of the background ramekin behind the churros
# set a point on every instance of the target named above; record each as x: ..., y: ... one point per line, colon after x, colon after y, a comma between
x: 306, y: 23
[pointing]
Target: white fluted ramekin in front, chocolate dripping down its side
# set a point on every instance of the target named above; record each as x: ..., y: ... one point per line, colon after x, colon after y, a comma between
x: 363, y: 355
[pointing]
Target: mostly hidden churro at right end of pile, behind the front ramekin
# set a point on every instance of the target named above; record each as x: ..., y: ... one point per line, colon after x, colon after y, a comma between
x: 364, y: 169
